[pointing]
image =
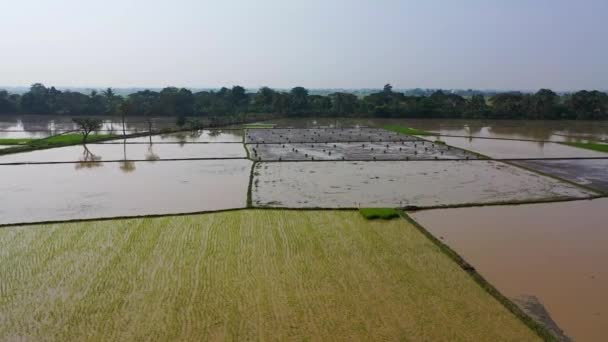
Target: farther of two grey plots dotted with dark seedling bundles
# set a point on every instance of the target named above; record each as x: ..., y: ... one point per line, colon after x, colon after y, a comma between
x: 322, y: 135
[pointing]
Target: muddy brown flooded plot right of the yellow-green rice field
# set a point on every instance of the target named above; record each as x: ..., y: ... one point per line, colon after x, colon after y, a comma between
x: 555, y: 252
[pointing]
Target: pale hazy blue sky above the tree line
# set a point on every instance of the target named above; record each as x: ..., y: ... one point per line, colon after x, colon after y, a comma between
x: 479, y: 44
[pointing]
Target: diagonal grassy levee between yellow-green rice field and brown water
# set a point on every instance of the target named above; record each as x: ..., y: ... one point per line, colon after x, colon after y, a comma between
x: 535, y: 326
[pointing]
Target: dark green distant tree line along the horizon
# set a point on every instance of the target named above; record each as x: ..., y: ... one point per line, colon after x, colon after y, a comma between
x: 181, y: 102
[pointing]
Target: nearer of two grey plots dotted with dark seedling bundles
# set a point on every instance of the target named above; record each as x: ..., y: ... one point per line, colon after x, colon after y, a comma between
x: 406, y: 150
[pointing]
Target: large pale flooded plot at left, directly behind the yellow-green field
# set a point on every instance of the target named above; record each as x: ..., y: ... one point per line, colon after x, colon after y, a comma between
x: 34, y: 193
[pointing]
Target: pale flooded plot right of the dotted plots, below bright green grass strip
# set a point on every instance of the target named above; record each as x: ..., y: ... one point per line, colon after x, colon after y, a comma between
x: 512, y: 149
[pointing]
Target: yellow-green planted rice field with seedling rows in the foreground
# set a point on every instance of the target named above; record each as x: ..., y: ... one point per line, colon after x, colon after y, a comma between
x: 241, y: 275
